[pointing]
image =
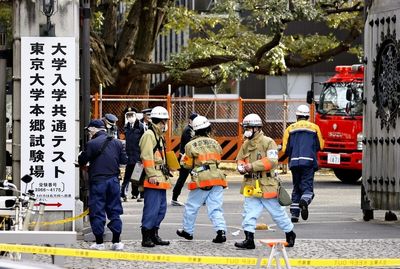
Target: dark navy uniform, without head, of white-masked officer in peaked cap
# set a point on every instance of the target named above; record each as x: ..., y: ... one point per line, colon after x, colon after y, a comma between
x: 132, y: 137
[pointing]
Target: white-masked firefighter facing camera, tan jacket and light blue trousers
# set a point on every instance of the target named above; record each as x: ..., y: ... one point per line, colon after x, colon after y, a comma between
x: 256, y: 160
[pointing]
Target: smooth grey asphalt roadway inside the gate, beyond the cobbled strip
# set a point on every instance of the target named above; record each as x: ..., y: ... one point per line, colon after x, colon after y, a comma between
x: 334, y: 214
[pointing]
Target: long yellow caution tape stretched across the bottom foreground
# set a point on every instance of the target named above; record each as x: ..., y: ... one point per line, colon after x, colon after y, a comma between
x: 169, y: 258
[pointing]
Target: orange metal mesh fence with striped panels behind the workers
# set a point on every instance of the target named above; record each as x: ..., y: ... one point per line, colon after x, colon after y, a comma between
x: 225, y: 116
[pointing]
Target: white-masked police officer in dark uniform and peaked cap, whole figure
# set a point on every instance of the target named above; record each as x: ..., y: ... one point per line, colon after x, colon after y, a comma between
x: 133, y: 132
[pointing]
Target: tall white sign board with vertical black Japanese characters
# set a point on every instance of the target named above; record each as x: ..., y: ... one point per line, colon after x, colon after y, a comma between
x: 48, y: 119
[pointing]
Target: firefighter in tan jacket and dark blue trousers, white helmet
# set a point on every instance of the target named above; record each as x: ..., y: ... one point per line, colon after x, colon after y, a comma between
x: 156, y: 182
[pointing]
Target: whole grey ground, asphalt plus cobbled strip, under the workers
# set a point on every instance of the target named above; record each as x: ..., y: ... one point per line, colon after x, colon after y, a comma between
x: 335, y: 229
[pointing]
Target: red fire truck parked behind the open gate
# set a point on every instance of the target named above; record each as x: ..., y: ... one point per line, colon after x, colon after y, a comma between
x: 339, y: 116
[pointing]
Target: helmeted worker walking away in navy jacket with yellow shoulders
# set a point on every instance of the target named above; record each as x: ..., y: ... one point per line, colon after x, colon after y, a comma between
x: 301, y: 142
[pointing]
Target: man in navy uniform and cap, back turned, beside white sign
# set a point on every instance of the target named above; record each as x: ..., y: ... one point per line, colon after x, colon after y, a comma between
x: 105, y: 154
